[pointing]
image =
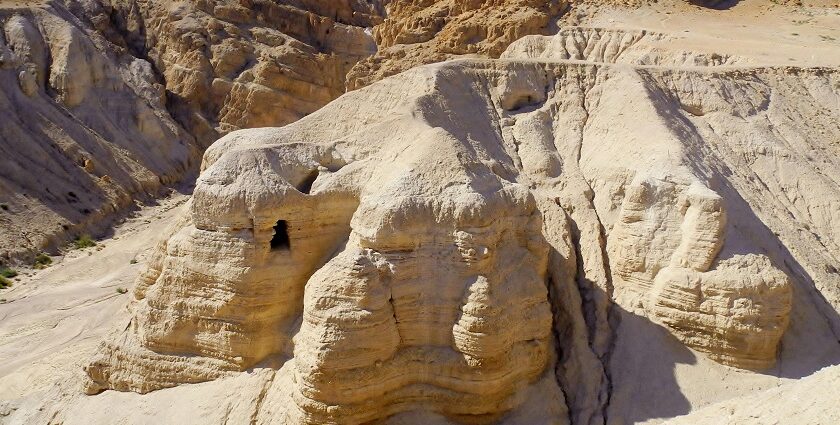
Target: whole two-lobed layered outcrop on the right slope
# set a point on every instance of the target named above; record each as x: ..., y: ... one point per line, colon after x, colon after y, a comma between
x: 735, y: 312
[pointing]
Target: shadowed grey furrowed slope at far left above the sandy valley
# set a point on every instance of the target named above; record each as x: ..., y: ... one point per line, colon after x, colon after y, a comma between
x: 85, y: 130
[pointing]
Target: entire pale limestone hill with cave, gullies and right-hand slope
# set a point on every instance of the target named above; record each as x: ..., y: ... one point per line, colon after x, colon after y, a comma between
x: 450, y: 241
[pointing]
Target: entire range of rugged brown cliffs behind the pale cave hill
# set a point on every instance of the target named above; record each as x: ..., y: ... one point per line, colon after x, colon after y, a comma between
x: 196, y: 70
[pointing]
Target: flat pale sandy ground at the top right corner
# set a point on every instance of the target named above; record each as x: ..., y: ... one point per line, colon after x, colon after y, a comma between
x: 801, y: 36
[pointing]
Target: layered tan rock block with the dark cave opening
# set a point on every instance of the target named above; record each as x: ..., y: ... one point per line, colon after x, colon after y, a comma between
x: 458, y: 318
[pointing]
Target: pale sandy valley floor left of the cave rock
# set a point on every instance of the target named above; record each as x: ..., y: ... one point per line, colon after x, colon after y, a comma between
x: 52, y: 320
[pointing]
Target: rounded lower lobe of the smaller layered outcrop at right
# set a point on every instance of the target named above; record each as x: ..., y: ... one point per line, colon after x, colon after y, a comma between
x: 736, y: 313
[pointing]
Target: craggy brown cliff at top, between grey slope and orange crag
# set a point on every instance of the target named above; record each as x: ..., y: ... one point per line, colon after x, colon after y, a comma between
x: 239, y: 64
